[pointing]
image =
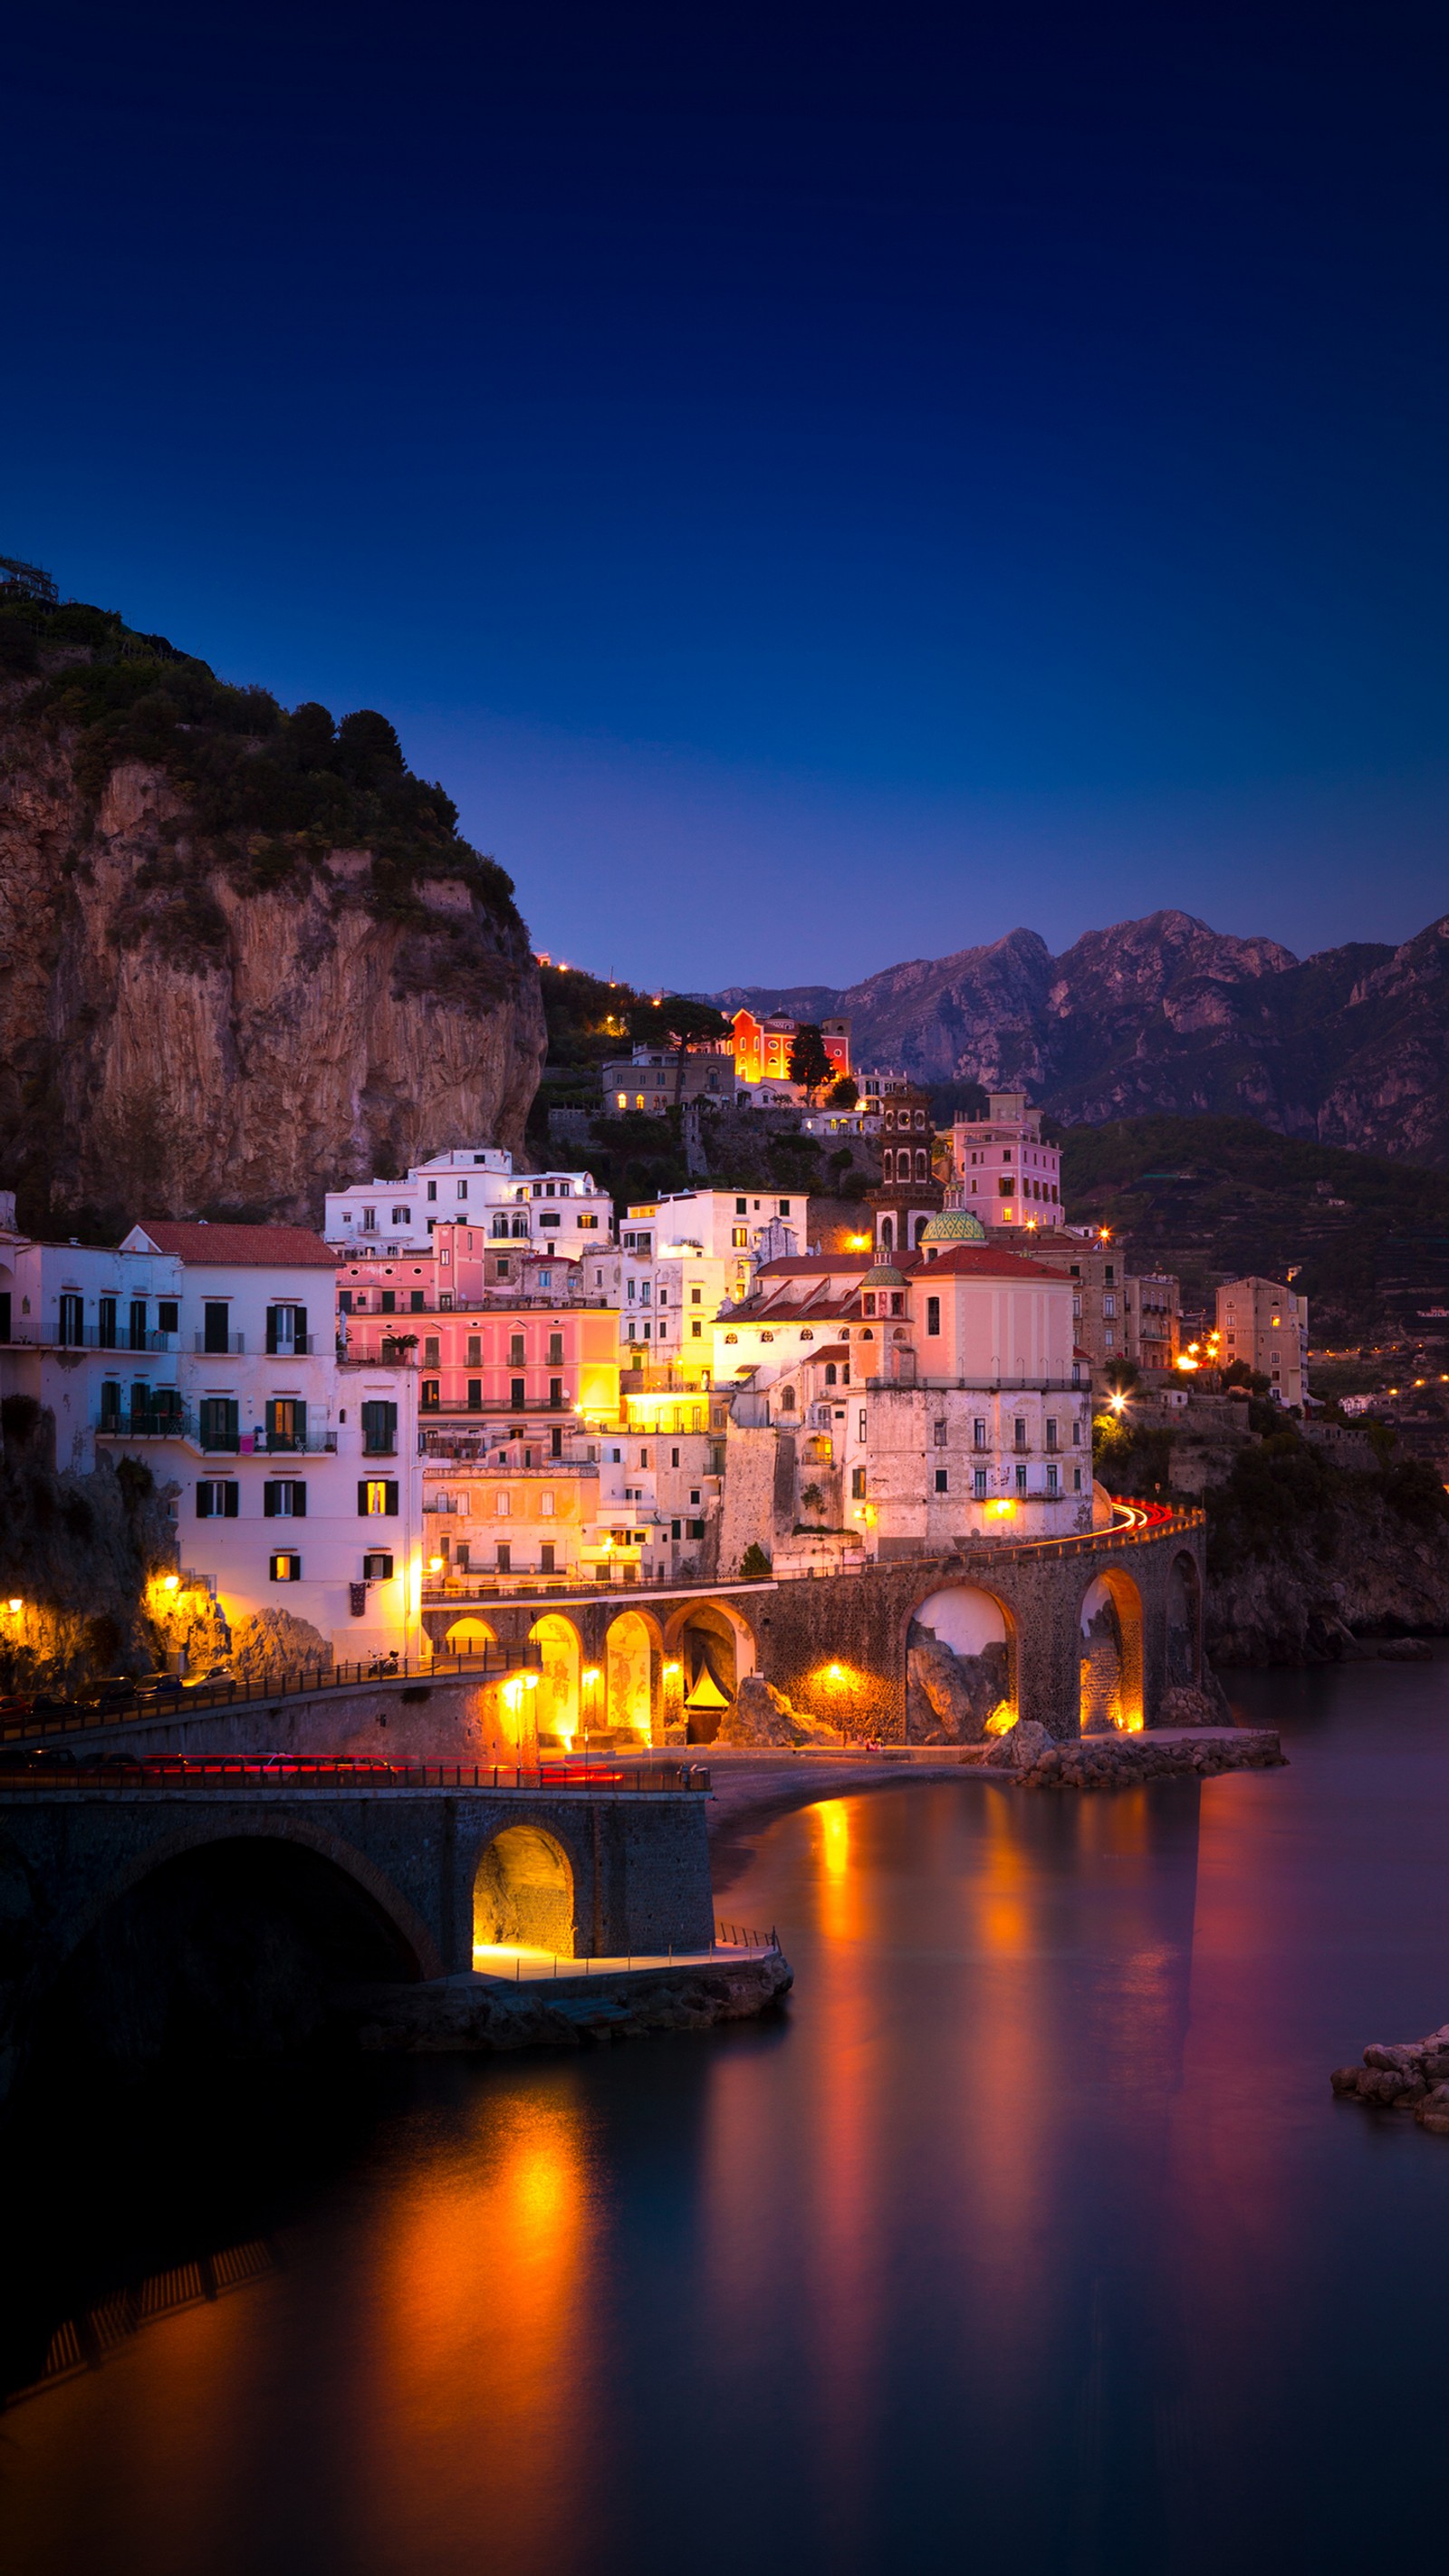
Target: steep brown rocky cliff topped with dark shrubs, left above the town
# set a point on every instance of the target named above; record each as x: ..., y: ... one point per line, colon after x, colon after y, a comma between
x: 197, y: 1016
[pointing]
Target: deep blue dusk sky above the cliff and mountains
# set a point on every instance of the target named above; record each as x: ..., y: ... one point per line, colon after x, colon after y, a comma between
x: 817, y: 486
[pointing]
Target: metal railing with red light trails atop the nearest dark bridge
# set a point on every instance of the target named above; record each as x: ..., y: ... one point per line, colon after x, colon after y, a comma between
x: 338, y: 1771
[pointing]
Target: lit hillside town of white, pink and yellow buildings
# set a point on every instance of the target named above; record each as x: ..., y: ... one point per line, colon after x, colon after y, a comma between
x: 483, y: 1385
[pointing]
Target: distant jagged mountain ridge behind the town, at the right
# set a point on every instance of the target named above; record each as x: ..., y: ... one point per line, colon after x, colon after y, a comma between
x: 1170, y: 1016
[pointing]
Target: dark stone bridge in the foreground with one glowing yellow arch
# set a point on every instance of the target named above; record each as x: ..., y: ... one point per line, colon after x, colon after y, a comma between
x: 151, y: 1915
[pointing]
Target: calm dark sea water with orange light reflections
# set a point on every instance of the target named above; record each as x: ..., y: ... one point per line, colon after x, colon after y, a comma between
x: 1028, y: 2237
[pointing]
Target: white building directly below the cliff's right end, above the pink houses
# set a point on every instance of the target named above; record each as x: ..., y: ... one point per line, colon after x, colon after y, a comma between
x: 562, y: 1212
